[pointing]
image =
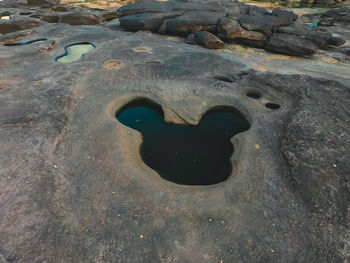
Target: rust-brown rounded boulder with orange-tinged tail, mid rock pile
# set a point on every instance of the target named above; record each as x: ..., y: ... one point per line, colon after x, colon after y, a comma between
x: 231, y: 30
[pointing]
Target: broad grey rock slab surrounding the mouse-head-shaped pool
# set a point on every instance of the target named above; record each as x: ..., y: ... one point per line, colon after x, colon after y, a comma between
x: 74, y: 189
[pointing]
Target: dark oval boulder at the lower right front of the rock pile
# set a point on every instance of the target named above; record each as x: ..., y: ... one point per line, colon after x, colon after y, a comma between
x: 290, y: 45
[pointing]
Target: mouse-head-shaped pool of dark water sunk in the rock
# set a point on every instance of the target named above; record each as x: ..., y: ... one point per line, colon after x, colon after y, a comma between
x: 185, y: 154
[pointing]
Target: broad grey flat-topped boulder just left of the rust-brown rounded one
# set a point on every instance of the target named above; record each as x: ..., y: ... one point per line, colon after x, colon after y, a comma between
x: 190, y: 22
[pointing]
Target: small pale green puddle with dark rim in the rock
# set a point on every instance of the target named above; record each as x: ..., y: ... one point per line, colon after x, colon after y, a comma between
x: 74, y: 52
